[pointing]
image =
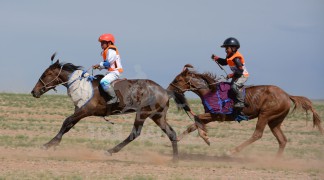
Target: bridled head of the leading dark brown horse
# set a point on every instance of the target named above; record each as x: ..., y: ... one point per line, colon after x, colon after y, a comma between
x: 53, y: 76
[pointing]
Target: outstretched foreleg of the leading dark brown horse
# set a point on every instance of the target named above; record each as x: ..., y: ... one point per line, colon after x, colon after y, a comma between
x: 66, y: 126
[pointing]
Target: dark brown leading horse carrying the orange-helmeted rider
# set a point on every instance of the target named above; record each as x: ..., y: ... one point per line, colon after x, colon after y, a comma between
x: 145, y: 97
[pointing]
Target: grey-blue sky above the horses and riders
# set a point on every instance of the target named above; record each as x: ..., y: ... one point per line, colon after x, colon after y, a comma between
x: 281, y: 41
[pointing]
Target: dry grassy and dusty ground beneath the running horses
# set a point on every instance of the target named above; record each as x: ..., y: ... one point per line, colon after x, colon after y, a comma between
x: 27, y: 123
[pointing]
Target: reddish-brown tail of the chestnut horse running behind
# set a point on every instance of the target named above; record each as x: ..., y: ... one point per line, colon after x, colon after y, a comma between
x: 305, y: 104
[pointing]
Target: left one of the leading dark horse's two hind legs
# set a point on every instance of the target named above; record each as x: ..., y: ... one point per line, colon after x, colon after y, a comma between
x: 136, y: 131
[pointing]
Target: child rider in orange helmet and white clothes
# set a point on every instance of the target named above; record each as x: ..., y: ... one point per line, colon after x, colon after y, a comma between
x: 111, y: 62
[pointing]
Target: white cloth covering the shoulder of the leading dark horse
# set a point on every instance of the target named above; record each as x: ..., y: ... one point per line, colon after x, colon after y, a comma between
x: 79, y: 89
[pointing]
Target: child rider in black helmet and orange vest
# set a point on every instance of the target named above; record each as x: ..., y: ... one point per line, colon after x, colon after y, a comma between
x: 235, y: 61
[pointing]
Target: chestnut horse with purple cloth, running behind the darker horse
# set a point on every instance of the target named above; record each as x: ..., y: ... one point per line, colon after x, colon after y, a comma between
x: 268, y: 103
